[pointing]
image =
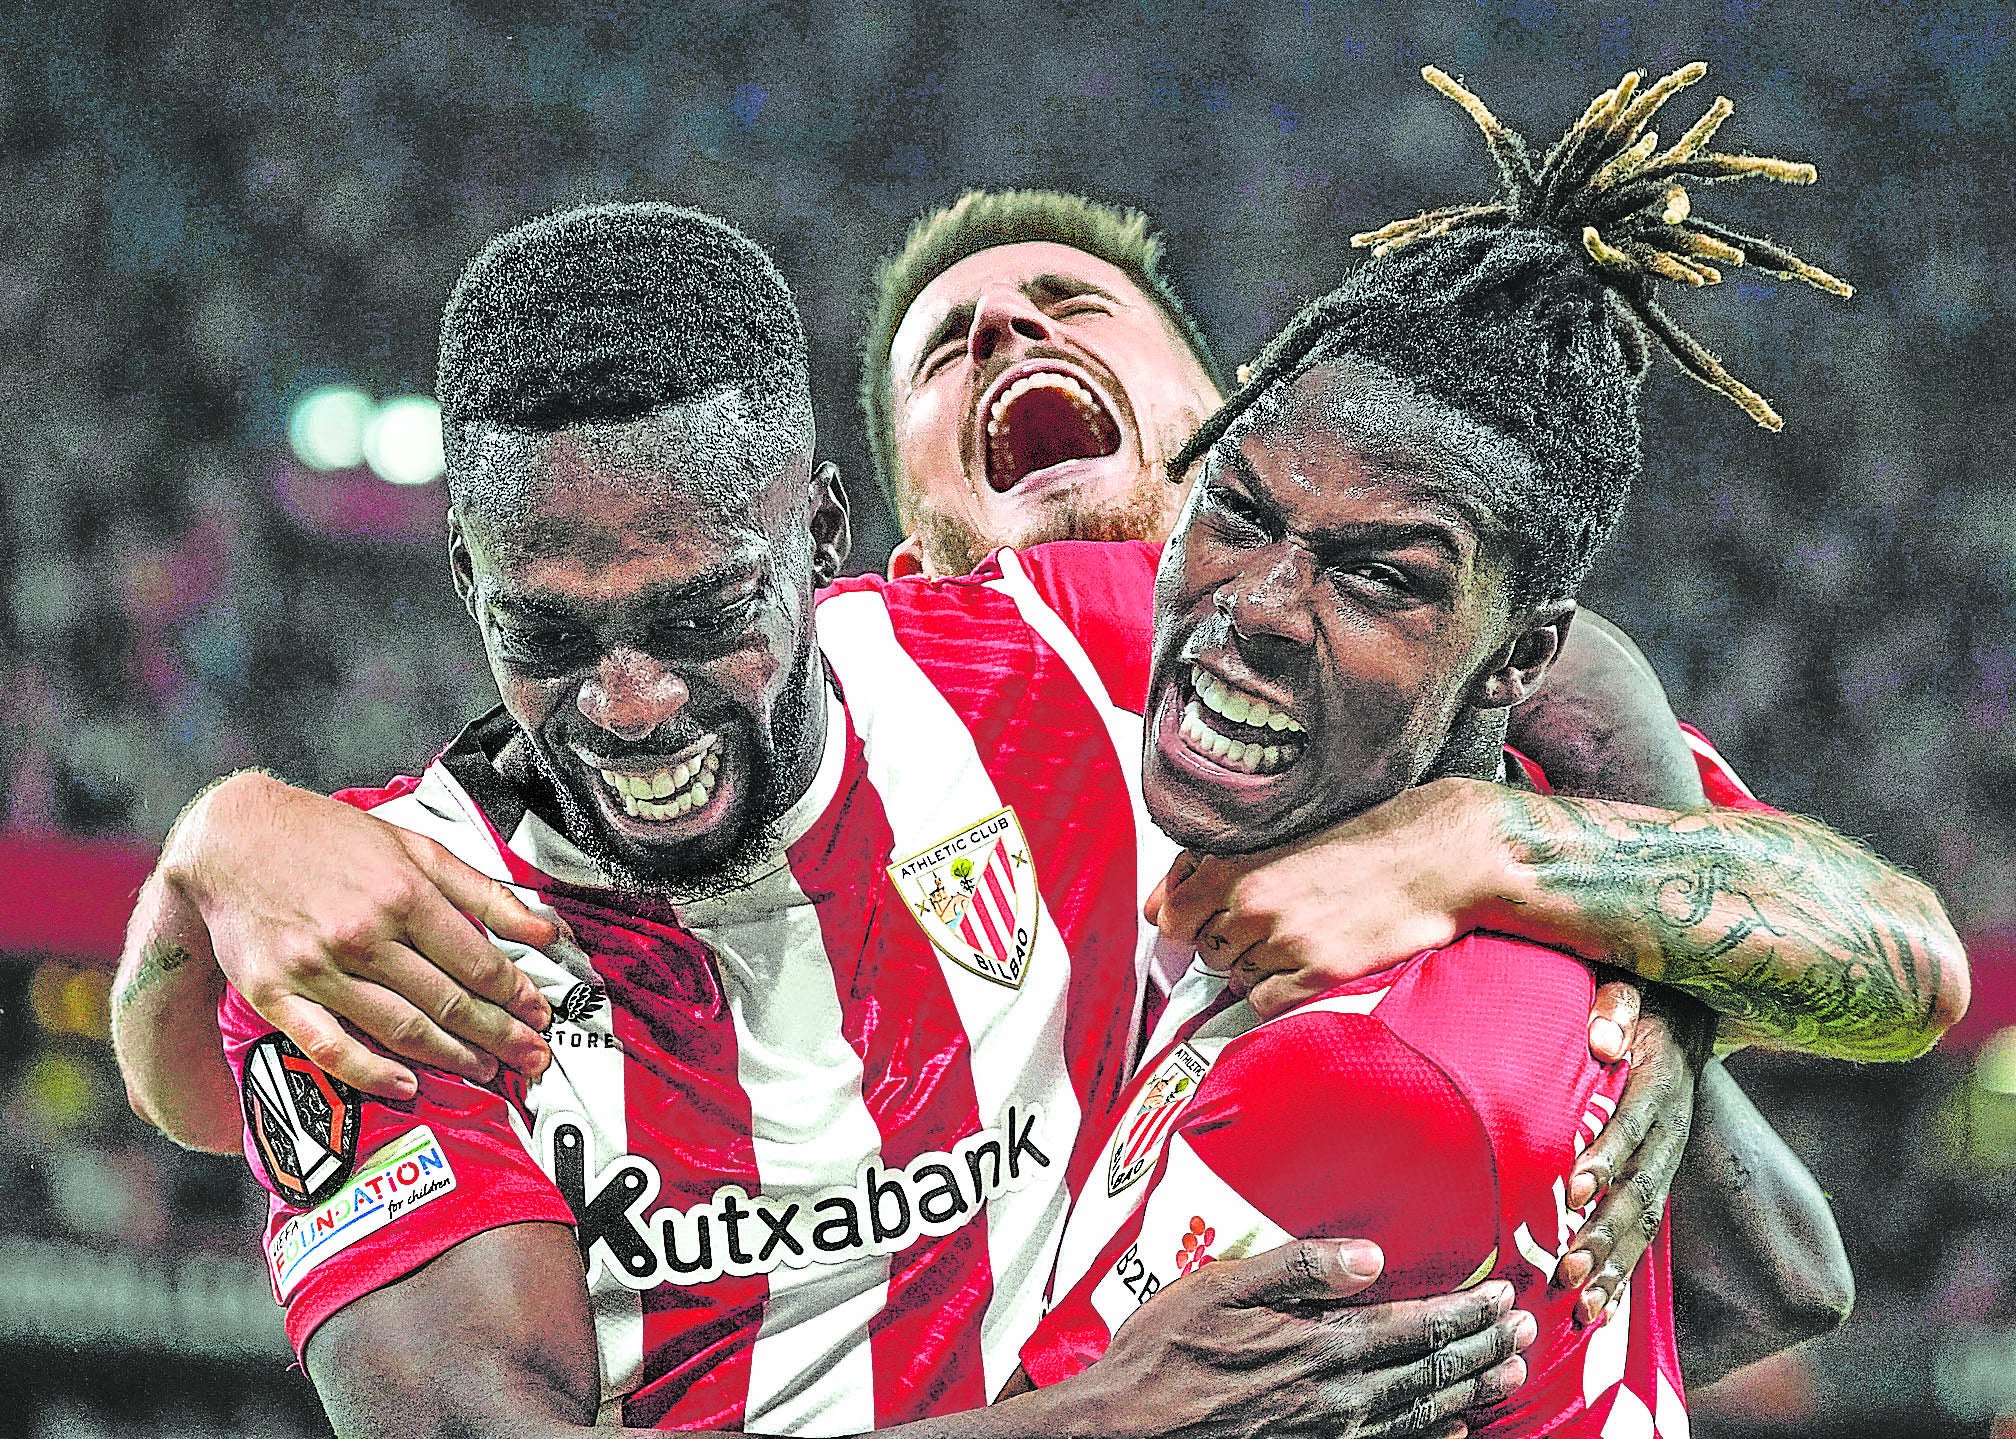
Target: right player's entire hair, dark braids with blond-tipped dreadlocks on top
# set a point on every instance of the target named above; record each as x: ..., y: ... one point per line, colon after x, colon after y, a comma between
x: 1533, y: 311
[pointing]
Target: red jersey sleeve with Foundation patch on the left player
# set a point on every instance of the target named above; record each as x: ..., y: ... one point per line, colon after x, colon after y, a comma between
x: 362, y: 1192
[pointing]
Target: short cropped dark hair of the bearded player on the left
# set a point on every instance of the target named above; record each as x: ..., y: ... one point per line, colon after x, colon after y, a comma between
x: 606, y: 313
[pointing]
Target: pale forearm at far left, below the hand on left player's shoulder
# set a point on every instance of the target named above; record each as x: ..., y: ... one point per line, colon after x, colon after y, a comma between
x: 166, y: 1023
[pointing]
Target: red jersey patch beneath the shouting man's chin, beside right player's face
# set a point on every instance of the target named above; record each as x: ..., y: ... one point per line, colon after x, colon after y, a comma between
x: 1104, y: 592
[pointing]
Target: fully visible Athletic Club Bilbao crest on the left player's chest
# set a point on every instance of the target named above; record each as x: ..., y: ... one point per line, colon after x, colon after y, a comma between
x: 975, y: 896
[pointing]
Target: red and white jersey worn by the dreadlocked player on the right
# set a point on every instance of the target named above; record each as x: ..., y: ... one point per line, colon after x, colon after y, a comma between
x: 1436, y: 1109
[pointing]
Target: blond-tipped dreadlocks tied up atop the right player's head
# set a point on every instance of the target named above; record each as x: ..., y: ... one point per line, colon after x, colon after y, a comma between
x: 1630, y: 207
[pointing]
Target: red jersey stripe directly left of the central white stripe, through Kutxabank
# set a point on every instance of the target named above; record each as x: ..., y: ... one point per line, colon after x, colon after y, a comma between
x: 686, y: 1109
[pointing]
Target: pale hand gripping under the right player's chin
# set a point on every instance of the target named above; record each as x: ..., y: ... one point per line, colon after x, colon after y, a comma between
x: 1295, y: 922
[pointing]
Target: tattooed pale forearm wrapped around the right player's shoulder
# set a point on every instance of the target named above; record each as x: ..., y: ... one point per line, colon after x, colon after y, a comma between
x: 1797, y: 936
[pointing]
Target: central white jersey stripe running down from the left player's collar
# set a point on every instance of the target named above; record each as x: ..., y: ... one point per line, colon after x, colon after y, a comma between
x: 811, y: 1369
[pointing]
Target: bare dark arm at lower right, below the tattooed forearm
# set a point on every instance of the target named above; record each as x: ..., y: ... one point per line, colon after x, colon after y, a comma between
x: 1757, y: 1257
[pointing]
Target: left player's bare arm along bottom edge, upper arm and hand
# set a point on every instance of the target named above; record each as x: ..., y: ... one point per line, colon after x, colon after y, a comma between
x: 495, y: 1337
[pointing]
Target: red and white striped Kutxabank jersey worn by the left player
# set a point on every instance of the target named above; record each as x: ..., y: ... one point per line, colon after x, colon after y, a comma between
x: 813, y: 1134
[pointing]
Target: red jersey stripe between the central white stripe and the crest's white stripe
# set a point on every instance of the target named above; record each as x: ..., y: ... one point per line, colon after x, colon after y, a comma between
x: 918, y: 1087
